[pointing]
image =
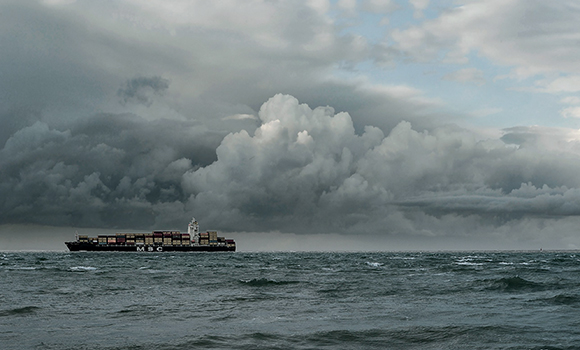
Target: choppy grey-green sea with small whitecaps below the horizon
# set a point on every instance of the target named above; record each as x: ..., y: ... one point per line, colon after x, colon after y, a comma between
x: 290, y: 300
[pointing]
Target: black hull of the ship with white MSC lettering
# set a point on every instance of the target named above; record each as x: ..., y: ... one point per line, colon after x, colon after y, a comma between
x: 76, y: 247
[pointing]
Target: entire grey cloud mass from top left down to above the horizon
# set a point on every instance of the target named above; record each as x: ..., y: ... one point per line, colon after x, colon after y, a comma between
x: 125, y: 114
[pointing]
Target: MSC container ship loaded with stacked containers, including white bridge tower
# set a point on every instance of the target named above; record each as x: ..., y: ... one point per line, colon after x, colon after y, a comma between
x: 156, y: 241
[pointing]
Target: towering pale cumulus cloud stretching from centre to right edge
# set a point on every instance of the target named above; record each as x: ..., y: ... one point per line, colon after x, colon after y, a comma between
x: 308, y: 170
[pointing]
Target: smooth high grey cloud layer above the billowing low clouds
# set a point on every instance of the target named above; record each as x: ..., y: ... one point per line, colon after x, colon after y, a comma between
x: 64, y: 64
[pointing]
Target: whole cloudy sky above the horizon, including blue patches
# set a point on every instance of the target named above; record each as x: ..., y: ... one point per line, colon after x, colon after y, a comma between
x: 292, y: 125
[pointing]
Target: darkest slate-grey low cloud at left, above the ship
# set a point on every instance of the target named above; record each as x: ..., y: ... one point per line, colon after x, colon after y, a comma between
x: 108, y: 170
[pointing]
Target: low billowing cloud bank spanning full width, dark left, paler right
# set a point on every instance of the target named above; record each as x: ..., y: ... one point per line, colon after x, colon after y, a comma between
x: 302, y: 171
